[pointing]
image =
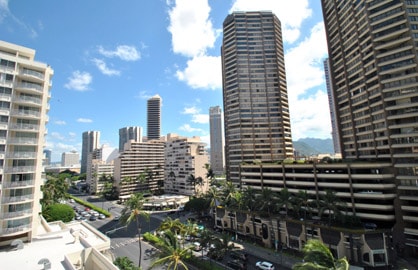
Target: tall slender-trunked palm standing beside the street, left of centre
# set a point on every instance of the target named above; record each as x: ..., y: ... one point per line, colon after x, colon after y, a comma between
x: 132, y: 212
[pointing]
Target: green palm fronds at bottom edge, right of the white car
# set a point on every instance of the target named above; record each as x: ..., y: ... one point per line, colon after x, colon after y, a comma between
x: 318, y: 256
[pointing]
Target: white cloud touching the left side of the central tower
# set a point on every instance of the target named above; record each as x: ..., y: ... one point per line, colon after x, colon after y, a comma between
x: 202, y: 72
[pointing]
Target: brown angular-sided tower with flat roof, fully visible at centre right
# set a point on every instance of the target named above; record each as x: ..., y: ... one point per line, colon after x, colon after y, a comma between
x: 256, y: 110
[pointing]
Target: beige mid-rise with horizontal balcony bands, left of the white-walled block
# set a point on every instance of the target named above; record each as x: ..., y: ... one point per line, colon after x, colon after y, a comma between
x: 140, y: 168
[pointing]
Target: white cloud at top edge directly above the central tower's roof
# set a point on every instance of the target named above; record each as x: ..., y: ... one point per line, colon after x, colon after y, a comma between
x: 290, y: 13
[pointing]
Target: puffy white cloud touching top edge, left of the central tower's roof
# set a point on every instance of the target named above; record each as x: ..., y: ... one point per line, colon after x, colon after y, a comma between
x: 190, y: 27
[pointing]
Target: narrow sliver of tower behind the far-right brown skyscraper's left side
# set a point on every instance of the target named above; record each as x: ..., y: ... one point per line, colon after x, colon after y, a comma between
x: 331, y: 101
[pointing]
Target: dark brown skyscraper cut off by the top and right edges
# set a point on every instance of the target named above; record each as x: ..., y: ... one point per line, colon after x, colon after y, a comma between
x: 374, y: 68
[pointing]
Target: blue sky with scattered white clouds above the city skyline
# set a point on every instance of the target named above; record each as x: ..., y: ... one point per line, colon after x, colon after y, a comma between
x: 110, y: 56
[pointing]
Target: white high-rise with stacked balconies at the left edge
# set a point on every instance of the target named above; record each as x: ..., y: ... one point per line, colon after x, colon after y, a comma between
x: 25, y: 86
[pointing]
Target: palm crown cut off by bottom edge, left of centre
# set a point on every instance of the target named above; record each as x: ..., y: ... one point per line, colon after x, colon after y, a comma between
x: 172, y: 253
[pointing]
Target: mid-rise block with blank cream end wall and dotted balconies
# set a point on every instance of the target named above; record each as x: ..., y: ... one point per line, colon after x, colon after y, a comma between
x: 184, y: 157
